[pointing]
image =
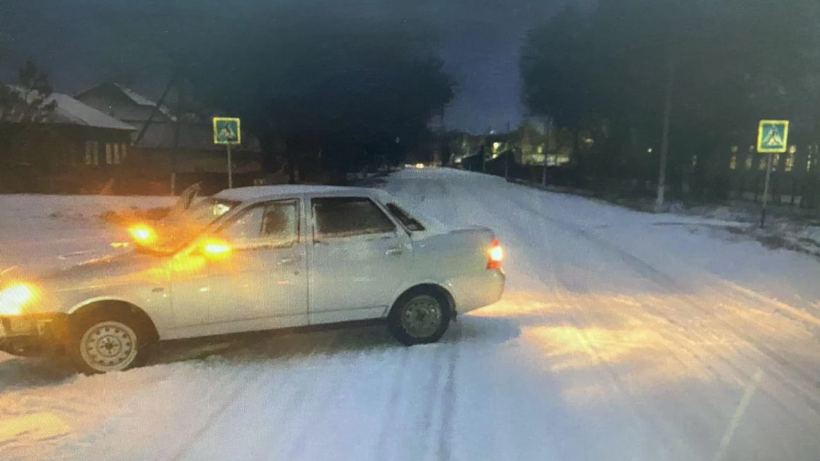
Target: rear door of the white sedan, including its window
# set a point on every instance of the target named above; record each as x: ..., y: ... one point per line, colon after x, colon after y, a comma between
x: 359, y: 258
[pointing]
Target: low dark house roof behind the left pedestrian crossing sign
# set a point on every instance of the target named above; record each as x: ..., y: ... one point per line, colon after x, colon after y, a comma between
x: 192, y: 136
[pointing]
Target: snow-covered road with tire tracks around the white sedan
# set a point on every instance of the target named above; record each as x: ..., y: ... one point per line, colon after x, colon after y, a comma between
x: 621, y: 336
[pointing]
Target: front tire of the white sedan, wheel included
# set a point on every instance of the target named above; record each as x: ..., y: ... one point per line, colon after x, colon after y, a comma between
x: 101, y: 342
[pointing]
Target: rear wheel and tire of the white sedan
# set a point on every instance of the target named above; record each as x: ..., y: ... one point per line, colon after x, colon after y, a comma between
x: 420, y: 316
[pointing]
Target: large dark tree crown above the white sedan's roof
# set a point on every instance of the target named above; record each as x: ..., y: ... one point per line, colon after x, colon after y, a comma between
x: 310, y: 77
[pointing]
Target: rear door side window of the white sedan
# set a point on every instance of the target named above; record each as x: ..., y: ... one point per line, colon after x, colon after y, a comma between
x: 337, y: 217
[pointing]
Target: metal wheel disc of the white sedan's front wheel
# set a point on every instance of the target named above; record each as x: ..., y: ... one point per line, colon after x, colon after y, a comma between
x: 109, y: 346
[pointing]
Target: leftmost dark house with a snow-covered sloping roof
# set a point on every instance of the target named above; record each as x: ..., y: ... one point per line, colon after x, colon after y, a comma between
x: 73, y: 140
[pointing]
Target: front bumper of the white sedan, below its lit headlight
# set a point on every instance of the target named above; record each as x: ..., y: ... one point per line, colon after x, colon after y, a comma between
x: 33, y: 335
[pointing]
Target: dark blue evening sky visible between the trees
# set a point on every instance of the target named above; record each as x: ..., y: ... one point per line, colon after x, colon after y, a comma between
x: 480, y: 44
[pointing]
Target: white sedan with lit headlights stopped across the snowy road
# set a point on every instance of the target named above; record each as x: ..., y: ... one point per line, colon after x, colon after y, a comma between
x: 251, y: 259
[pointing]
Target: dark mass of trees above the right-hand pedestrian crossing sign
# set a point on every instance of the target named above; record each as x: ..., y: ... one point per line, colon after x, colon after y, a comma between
x: 610, y: 75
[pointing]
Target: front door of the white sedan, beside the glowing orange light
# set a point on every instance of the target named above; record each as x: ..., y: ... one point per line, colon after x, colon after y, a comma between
x: 262, y: 284
